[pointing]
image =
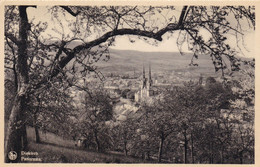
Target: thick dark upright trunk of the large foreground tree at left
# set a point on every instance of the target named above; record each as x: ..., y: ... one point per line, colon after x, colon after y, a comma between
x: 14, y: 134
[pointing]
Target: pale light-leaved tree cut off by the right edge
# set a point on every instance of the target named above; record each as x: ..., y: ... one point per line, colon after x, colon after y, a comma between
x: 242, y: 111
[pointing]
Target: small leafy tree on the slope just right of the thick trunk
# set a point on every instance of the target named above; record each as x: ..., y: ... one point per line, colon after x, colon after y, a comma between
x: 51, y: 109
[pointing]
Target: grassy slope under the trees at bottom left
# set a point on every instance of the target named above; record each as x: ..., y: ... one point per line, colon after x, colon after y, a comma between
x: 55, y: 149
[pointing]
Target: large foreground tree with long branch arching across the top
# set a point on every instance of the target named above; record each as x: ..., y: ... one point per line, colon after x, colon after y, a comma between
x: 97, y: 27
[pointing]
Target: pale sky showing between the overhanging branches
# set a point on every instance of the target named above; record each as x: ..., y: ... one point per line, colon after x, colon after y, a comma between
x: 168, y: 43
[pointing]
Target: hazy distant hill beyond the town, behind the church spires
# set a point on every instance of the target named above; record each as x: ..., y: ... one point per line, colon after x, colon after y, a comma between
x: 128, y: 61
